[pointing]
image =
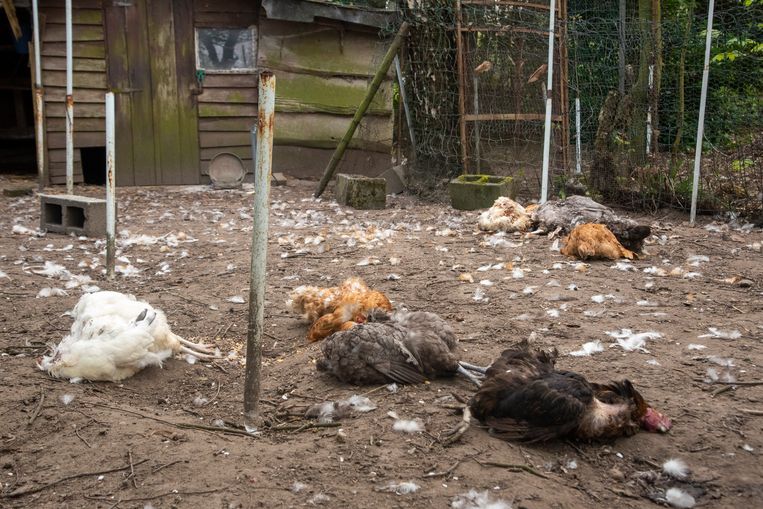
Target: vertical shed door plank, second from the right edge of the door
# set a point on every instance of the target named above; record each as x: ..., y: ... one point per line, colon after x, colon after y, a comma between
x: 165, y: 104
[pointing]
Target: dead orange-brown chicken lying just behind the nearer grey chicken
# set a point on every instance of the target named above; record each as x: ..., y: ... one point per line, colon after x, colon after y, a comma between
x: 329, y: 309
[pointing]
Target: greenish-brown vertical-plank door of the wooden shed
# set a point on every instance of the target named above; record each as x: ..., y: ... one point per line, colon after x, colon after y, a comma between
x: 151, y: 69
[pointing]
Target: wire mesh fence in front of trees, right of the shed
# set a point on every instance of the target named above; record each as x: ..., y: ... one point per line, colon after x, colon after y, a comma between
x: 630, y: 71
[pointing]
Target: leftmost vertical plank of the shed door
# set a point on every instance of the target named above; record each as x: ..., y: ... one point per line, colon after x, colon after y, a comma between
x: 119, y: 79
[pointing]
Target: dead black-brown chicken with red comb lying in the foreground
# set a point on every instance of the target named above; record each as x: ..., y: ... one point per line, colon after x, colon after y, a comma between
x: 524, y: 397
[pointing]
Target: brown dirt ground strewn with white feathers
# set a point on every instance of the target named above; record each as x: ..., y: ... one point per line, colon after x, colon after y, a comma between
x: 142, y: 442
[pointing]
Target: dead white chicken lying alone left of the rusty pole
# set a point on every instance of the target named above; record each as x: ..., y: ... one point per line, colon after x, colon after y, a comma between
x: 114, y: 336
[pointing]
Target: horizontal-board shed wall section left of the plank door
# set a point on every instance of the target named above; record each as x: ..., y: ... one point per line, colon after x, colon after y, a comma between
x: 89, y: 81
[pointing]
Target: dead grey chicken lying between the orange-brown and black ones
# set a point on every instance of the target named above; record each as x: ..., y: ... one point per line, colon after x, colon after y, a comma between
x: 403, y: 347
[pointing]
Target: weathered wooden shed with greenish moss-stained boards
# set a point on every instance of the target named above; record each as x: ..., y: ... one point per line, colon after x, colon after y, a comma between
x: 185, y: 77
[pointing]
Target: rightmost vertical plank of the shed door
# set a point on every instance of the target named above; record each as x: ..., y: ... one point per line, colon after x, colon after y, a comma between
x: 188, y: 120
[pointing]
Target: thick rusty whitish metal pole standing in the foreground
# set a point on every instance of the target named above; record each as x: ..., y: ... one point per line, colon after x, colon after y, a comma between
x: 262, y: 148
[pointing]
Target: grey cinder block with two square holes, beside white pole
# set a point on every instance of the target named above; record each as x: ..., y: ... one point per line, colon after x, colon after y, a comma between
x: 67, y: 213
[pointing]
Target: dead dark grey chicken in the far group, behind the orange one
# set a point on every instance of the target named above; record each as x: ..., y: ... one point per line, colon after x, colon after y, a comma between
x: 576, y: 210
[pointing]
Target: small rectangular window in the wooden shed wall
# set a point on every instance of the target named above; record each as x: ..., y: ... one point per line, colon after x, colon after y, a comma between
x: 225, y: 49
